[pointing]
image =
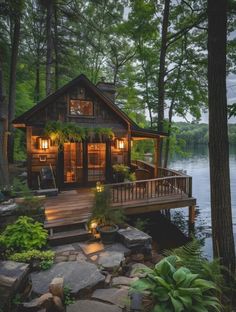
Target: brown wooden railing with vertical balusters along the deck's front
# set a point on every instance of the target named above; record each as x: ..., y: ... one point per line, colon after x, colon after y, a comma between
x: 151, y: 189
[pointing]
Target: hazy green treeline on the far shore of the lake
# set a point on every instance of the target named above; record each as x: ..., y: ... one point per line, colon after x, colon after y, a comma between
x: 198, y: 133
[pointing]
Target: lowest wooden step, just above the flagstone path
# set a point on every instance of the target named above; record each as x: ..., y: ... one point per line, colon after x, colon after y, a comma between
x: 69, y: 237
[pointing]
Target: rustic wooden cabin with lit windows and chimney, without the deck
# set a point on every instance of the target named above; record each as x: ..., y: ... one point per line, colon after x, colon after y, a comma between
x: 85, y: 162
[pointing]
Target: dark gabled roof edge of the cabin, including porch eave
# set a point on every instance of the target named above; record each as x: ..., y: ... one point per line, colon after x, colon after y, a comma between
x: 135, y: 129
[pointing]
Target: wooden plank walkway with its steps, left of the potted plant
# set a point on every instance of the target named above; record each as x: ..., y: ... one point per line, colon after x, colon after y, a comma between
x: 67, y: 215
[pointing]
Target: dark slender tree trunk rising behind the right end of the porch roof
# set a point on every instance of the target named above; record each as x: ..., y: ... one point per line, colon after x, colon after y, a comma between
x: 161, y: 77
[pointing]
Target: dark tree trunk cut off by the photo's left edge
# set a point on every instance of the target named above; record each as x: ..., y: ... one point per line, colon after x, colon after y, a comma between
x: 4, y: 175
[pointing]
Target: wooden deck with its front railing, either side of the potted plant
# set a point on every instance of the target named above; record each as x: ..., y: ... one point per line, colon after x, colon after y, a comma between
x: 74, y: 207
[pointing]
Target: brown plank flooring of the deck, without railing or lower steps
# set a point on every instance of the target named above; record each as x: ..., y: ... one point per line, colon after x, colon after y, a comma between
x: 74, y: 206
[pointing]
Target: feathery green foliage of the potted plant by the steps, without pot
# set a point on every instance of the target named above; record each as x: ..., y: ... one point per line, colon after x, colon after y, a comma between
x: 102, y: 211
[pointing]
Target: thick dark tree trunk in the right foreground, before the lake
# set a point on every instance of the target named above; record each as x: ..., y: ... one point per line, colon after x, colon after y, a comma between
x: 222, y: 229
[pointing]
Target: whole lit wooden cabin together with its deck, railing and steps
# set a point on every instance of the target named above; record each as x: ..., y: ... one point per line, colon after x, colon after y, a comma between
x: 81, y: 163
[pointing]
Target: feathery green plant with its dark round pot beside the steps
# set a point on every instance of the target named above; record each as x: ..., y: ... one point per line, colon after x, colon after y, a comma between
x: 107, y: 219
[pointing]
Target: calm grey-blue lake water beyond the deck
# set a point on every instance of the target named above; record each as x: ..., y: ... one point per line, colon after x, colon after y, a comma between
x: 197, y: 166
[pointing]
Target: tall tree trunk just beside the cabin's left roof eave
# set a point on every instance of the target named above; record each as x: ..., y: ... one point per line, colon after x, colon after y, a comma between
x: 12, y: 85
